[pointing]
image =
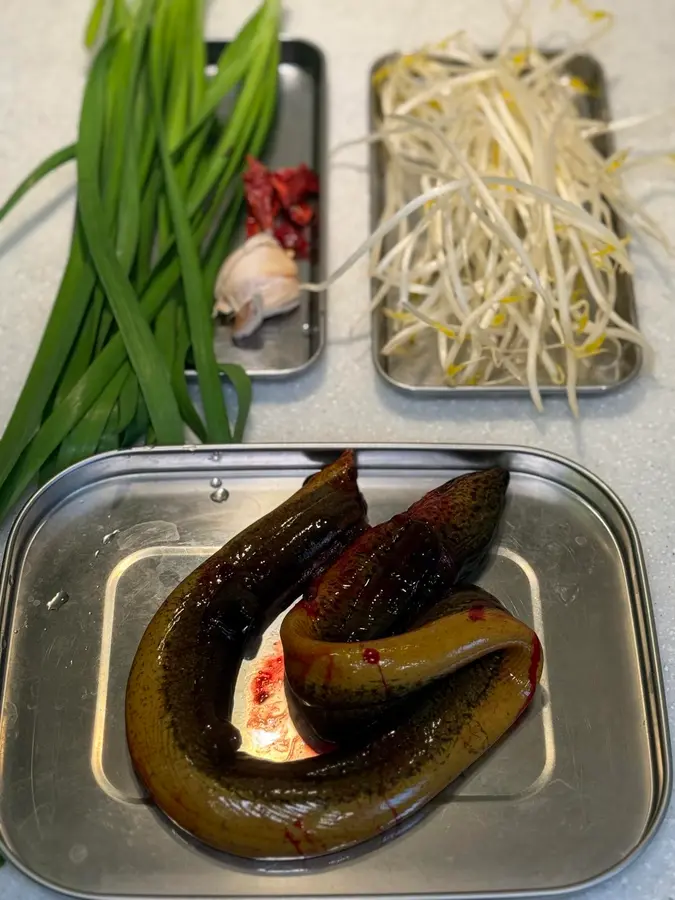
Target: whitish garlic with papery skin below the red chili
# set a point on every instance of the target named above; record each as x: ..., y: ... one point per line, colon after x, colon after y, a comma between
x: 257, y: 281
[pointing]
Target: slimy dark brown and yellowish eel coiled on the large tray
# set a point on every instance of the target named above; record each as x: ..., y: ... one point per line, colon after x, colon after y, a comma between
x: 180, y: 689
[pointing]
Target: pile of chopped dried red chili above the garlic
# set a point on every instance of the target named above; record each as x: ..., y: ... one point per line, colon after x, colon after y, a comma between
x: 278, y: 202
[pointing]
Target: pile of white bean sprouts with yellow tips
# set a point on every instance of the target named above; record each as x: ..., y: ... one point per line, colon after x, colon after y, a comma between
x: 498, y: 233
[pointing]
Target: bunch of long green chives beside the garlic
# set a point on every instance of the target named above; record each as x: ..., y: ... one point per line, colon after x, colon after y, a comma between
x: 158, y: 199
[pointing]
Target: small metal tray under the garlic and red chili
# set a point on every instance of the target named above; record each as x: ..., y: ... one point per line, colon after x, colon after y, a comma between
x: 287, y: 345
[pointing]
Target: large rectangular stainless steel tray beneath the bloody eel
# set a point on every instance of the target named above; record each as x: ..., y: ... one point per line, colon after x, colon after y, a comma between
x: 564, y: 801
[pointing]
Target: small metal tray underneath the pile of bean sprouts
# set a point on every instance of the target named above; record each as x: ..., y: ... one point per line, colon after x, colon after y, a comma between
x: 416, y: 373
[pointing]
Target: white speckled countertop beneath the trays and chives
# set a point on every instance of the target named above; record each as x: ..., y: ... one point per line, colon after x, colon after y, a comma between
x: 625, y: 438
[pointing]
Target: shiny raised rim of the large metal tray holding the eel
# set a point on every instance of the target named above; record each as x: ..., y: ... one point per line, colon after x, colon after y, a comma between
x: 649, y: 642
